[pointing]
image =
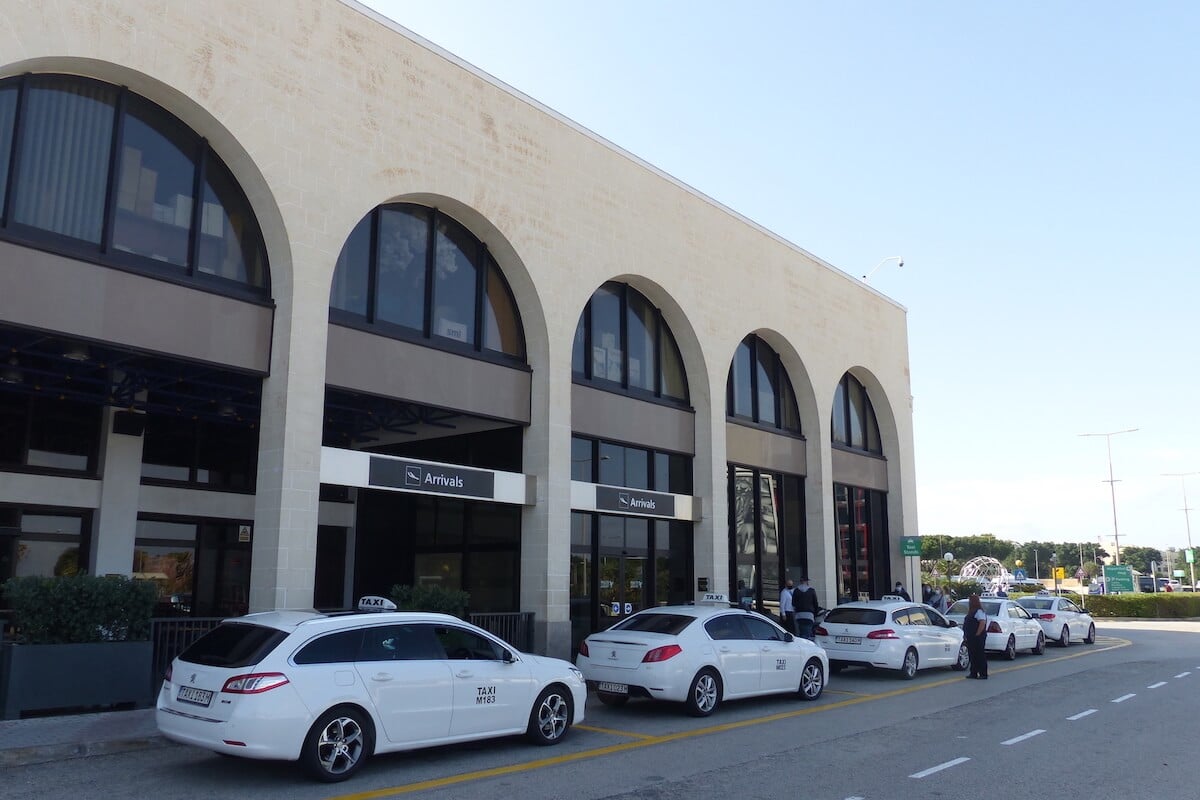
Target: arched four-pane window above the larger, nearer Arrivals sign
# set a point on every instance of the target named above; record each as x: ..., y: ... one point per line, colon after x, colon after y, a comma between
x: 412, y: 273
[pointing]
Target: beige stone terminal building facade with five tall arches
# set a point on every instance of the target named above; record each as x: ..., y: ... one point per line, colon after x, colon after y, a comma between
x: 238, y: 154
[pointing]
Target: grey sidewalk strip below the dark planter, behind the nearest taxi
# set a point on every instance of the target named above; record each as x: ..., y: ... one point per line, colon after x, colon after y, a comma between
x: 52, y: 739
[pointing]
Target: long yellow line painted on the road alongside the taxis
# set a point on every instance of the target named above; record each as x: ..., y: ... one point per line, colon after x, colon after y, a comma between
x: 650, y: 741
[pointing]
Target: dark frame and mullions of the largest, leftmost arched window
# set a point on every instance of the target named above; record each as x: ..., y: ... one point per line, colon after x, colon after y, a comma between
x: 104, y: 254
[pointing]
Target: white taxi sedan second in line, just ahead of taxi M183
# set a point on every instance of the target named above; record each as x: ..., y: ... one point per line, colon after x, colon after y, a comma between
x: 701, y: 657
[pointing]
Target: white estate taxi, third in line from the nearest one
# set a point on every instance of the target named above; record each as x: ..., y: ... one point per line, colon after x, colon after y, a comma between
x: 893, y: 634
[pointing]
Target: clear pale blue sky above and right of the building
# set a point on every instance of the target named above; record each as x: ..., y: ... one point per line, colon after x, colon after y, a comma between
x: 1035, y: 164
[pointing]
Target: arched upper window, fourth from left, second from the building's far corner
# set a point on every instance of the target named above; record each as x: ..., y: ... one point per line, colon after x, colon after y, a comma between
x: 758, y: 389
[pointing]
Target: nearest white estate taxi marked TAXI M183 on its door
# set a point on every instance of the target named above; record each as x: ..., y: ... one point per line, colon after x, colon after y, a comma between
x: 333, y: 690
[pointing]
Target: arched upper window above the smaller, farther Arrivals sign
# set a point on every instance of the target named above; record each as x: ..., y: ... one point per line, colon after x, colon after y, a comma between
x: 622, y: 341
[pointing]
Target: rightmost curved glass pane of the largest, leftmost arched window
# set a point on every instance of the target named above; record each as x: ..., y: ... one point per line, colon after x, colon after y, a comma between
x: 231, y: 242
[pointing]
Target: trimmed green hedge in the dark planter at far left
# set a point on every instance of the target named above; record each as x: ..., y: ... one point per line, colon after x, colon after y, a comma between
x: 73, y: 610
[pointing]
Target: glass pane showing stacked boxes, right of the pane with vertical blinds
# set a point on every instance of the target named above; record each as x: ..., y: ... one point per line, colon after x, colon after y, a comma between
x: 155, y: 185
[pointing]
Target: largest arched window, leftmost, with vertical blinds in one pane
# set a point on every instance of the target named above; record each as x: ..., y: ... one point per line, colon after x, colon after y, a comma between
x: 93, y: 171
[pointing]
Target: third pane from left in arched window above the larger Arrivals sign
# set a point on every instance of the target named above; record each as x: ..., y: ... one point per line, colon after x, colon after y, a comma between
x: 455, y: 281
